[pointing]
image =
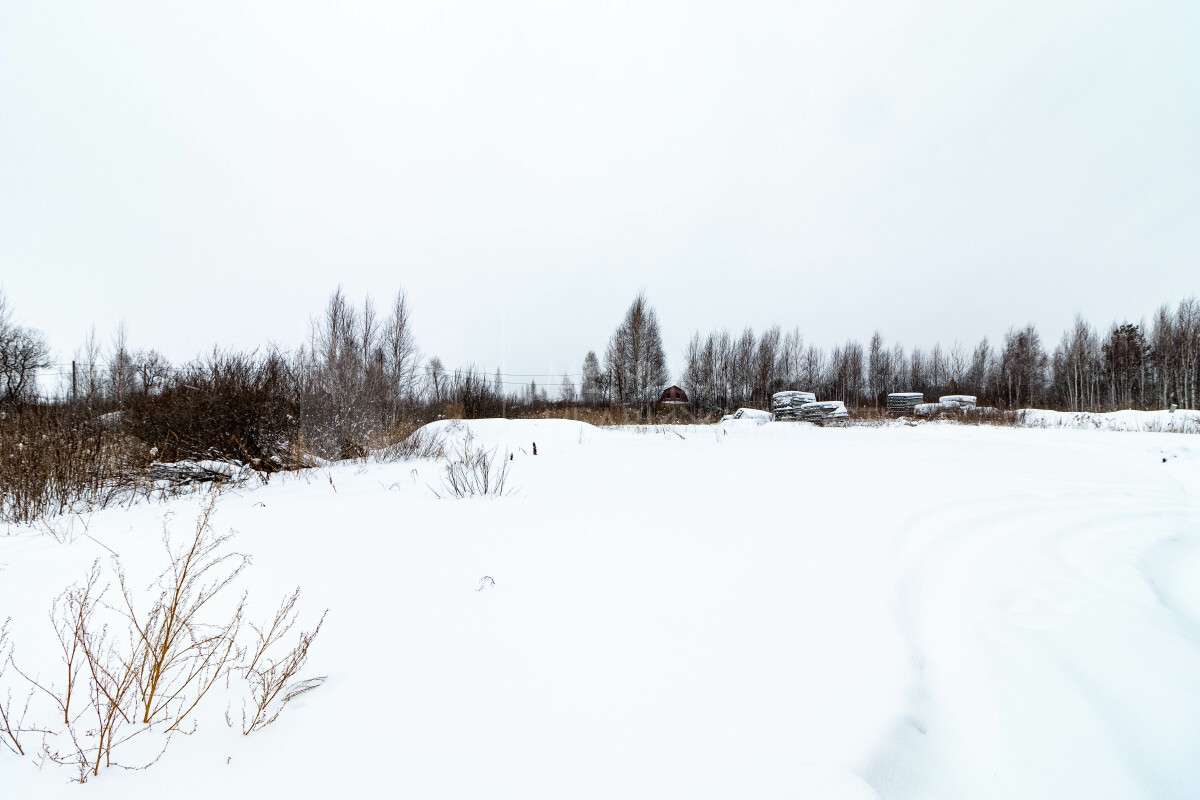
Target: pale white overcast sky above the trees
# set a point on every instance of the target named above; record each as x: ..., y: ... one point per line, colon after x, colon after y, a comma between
x: 939, y: 171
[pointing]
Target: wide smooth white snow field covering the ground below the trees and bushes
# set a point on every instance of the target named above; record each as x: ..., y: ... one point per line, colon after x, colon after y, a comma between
x: 734, y: 611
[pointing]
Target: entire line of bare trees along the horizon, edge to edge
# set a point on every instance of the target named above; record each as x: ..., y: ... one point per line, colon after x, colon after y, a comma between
x: 361, y: 368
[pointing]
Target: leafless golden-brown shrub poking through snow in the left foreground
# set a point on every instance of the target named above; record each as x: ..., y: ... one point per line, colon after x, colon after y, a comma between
x: 130, y: 673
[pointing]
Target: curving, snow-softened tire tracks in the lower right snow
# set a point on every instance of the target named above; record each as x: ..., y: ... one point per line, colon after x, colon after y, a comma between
x: 1048, y: 660
